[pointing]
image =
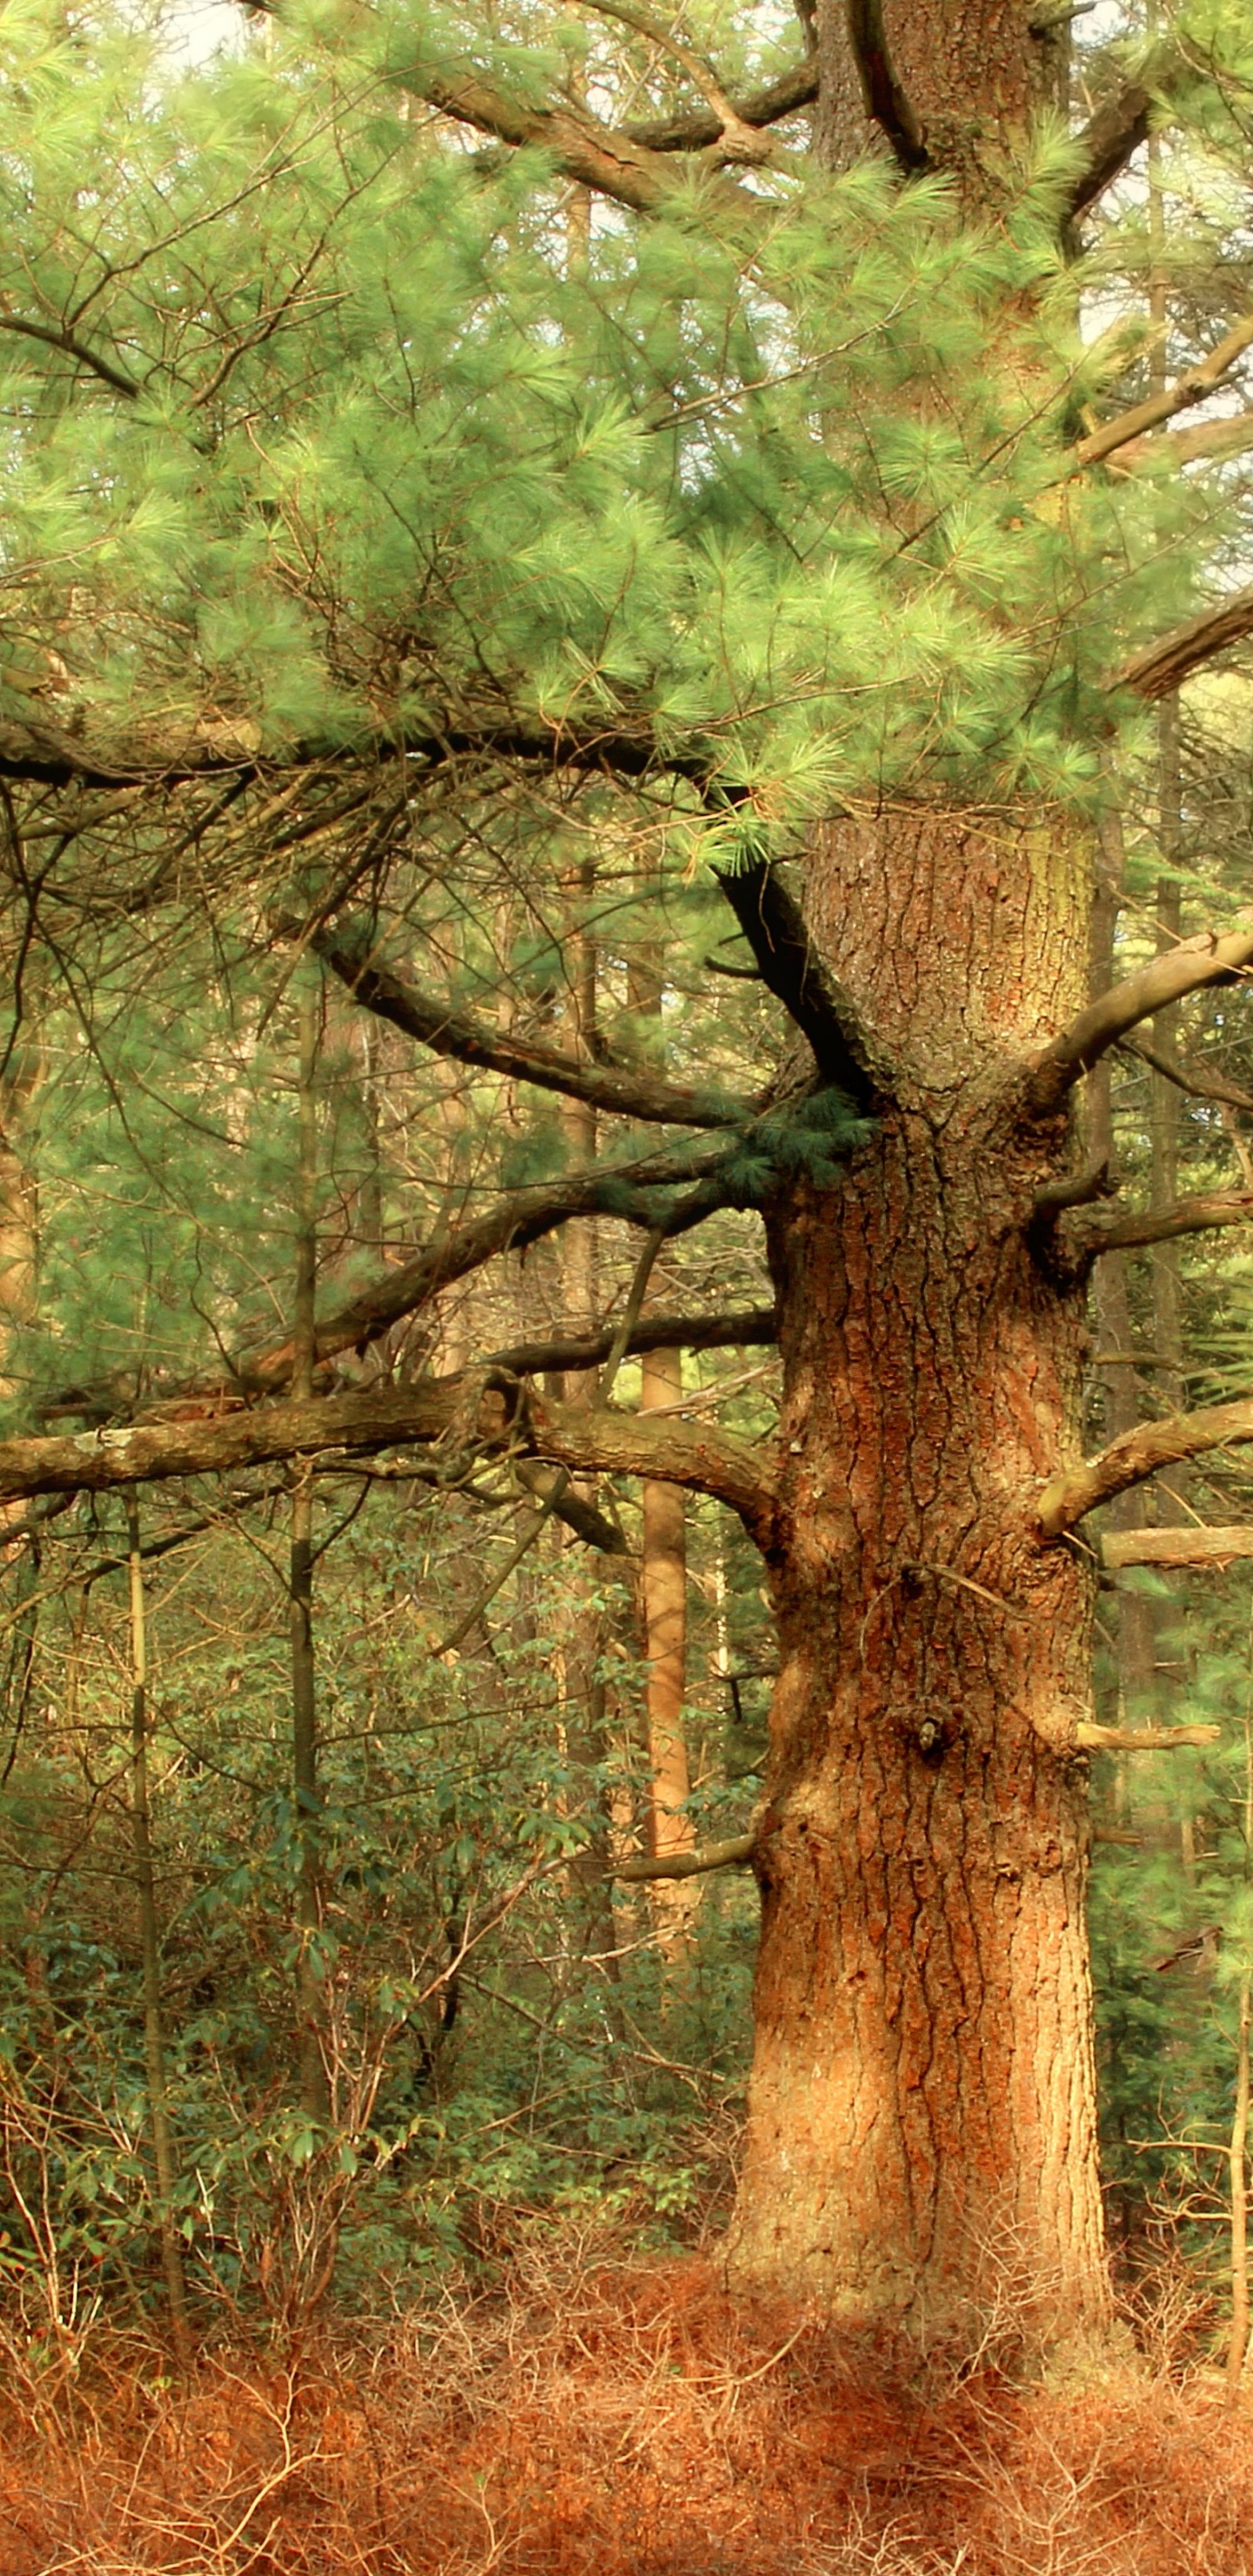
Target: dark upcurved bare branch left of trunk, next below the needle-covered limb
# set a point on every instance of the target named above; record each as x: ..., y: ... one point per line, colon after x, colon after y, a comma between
x: 473, y: 1042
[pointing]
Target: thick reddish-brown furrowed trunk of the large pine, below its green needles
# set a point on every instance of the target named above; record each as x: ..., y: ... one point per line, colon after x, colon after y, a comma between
x: 922, y: 2116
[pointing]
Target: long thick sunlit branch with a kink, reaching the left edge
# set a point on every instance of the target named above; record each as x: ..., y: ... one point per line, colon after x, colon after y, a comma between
x: 476, y: 1410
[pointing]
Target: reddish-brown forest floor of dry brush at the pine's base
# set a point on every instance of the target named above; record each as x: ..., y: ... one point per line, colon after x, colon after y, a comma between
x: 617, y: 2418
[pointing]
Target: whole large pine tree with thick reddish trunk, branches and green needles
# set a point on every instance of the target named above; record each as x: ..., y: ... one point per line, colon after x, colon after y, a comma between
x: 391, y: 537
